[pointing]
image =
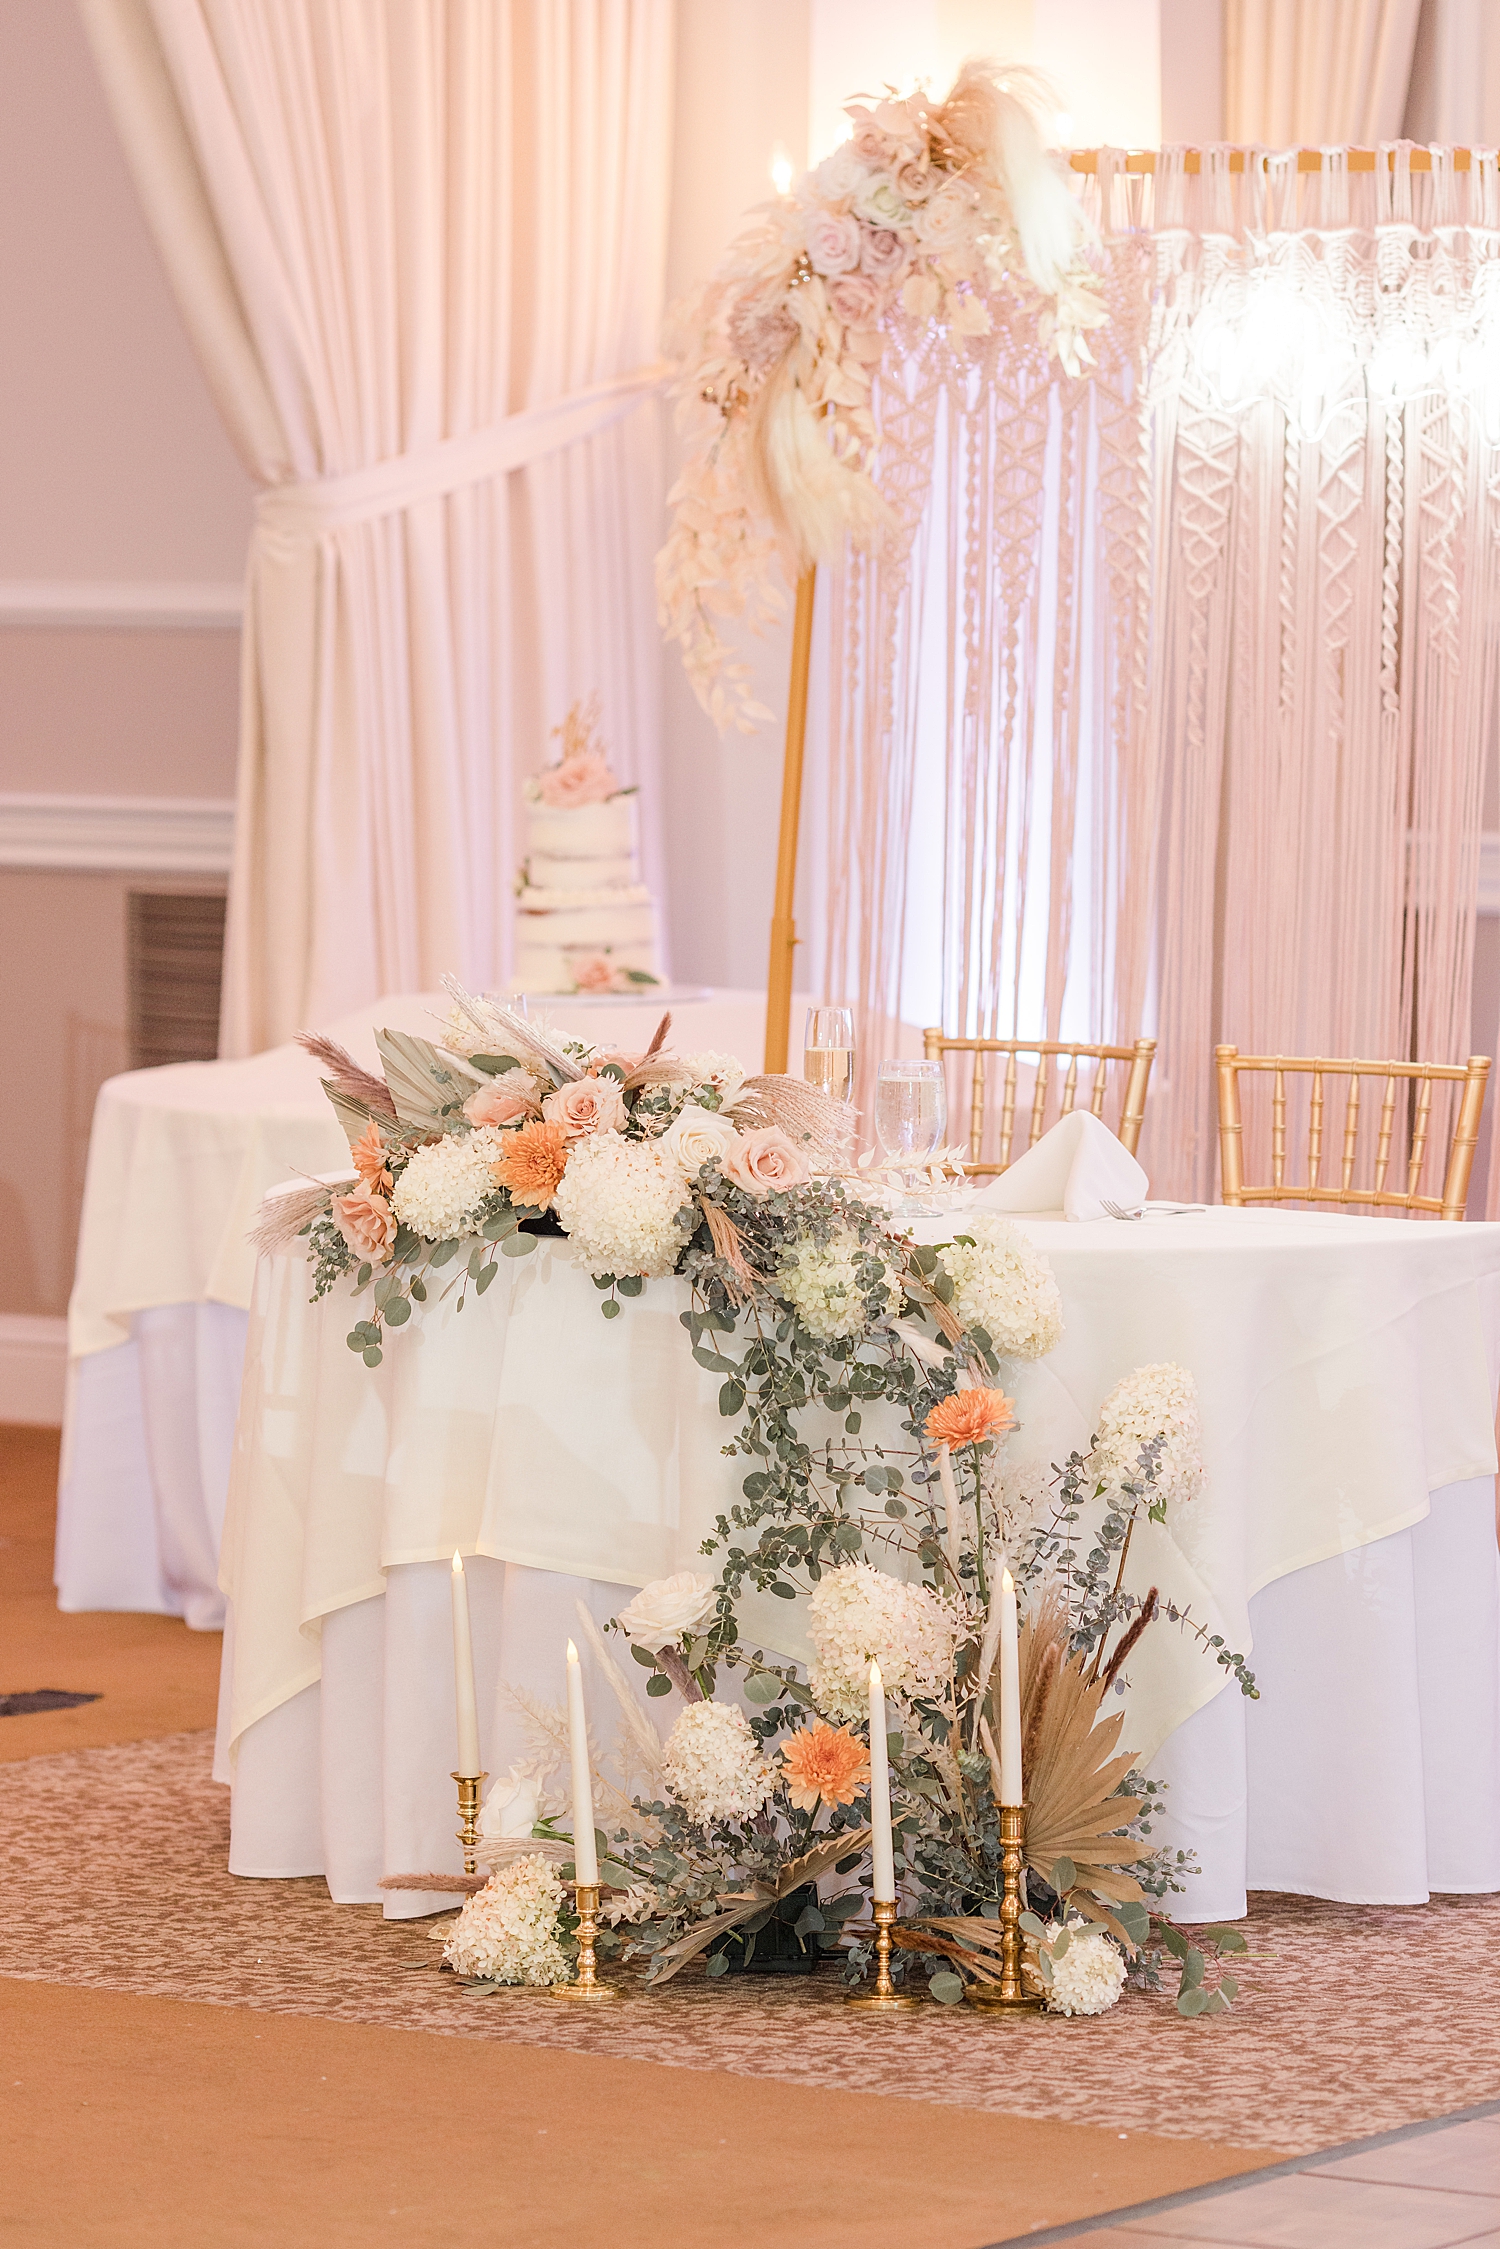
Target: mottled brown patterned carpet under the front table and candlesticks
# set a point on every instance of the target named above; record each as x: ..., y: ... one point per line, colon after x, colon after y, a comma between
x: 1353, y: 2021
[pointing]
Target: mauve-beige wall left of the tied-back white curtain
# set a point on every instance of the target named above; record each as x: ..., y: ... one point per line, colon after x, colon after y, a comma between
x: 114, y: 467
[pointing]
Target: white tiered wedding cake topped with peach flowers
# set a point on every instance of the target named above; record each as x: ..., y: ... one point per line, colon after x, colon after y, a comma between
x: 586, y: 921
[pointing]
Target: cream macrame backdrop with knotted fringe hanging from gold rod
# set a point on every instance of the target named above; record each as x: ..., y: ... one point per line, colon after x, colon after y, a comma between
x: 1168, y: 707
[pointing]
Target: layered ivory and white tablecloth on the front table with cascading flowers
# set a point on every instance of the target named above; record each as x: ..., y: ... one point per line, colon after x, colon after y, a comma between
x: 1346, y: 1539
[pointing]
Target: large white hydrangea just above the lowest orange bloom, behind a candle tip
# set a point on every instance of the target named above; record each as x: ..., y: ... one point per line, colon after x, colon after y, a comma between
x: 858, y: 1614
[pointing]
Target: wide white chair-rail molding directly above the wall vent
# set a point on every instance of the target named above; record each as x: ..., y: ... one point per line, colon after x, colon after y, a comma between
x: 127, y: 836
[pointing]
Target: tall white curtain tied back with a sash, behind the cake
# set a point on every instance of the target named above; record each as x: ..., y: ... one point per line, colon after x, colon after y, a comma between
x: 419, y: 246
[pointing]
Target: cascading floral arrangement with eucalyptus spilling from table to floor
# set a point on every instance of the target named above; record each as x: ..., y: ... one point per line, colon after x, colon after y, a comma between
x: 862, y: 1378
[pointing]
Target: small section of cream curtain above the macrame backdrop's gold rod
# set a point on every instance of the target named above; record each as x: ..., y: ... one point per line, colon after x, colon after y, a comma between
x: 1317, y: 71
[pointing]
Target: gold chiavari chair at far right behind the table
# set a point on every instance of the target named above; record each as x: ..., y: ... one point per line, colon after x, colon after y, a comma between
x: 1418, y: 1078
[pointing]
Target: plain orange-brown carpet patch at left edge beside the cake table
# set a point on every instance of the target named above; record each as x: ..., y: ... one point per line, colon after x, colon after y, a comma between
x: 152, y: 1674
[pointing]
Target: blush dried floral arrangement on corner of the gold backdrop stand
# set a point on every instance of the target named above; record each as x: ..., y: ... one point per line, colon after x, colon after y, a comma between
x: 919, y: 224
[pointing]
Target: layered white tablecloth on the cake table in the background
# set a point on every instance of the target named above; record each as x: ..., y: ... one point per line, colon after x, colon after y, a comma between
x: 156, y: 1333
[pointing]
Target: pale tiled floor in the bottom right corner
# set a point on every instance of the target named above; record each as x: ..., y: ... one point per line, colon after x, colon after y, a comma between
x: 1427, y: 2189
